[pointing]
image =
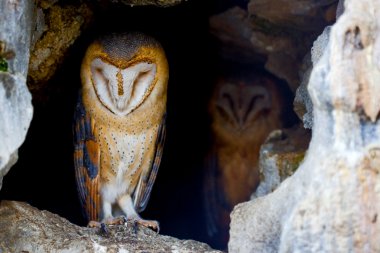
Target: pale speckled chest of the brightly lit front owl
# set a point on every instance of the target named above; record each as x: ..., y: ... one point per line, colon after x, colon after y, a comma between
x: 124, y: 155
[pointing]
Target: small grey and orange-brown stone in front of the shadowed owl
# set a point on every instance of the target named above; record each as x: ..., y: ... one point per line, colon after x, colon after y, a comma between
x: 280, y: 156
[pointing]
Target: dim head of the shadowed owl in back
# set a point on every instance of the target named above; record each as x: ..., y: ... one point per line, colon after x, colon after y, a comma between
x: 240, y: 104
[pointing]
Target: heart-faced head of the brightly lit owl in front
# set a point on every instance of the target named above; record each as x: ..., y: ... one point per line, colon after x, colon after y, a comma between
x: 123, y: 70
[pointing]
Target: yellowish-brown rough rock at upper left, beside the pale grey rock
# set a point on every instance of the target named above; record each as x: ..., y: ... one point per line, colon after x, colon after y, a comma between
x: 58, y: 27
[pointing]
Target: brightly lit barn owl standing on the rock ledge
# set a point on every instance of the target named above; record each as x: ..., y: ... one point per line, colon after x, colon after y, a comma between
x: 119, y: 127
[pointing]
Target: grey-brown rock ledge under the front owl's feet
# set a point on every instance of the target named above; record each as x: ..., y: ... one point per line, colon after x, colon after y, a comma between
x: 24, y: 228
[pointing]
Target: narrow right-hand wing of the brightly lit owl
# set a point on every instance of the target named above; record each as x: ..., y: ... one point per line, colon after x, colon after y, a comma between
x: 148, y: 176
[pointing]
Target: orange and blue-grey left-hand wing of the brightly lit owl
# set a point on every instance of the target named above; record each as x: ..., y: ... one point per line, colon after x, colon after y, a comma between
x: 86, y: 162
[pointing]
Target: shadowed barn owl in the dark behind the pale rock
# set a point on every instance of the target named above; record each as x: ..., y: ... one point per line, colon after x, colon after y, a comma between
x: 244, y: 110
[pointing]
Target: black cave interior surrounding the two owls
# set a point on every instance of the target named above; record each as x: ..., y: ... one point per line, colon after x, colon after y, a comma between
x: 44, y: 173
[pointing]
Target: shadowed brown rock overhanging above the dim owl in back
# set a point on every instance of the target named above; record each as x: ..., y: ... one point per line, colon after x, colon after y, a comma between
x: 277, y: 37
